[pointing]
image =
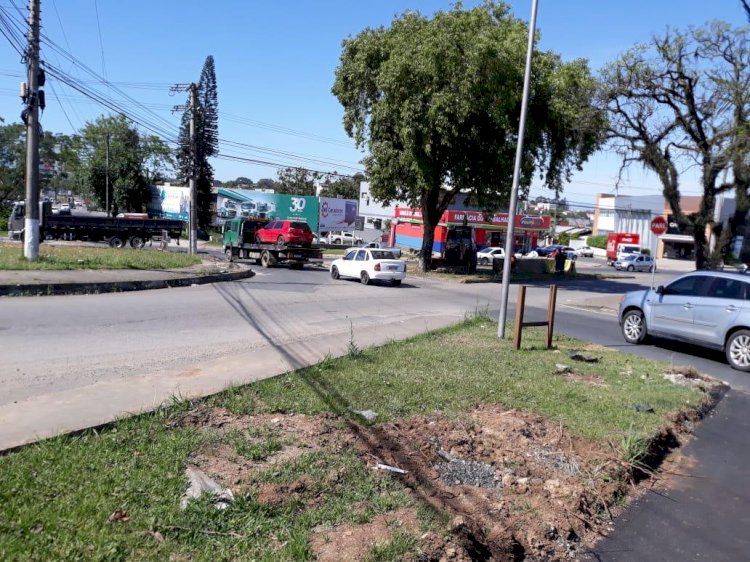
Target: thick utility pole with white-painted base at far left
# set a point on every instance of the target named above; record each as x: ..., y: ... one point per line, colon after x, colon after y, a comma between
x: 31, y: 219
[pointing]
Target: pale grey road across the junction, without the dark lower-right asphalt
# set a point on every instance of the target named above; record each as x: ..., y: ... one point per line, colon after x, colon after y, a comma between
x: 79, y: 360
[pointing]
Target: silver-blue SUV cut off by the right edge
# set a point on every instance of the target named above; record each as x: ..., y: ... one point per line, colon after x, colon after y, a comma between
x: 708, y: 308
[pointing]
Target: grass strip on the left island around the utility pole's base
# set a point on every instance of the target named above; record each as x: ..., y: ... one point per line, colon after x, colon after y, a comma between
x: 87, y: 257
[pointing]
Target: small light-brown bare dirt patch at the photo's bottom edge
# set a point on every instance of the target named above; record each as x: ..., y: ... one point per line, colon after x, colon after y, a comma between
x: 348, y: 543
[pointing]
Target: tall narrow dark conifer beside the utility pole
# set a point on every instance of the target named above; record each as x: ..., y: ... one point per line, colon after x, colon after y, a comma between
x: 207, y: 140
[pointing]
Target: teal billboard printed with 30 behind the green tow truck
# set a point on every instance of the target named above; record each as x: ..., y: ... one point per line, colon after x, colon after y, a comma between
x: 231, y: 203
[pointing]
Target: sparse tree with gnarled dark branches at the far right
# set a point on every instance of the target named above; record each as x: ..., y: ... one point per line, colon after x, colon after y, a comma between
x: 682, y: 101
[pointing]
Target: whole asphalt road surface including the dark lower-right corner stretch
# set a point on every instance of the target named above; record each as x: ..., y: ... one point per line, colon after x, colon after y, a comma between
x: 76, y: 361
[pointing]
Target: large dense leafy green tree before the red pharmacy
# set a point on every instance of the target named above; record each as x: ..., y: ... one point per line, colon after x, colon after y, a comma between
x: 437, y: 104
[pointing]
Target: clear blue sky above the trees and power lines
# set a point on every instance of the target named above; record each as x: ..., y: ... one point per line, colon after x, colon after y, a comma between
x: 275, y: 63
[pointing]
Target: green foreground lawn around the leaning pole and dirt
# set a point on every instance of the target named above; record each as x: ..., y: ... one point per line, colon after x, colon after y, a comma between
x: 57, y: 496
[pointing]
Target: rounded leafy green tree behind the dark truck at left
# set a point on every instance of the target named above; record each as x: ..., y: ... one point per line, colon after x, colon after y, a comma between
x: 132, y: 161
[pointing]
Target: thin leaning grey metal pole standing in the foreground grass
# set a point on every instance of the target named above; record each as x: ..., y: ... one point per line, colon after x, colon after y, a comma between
x: 516, y: 176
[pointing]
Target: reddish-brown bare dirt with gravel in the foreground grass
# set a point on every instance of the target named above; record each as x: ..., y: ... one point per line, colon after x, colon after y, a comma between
x: 517, y: 485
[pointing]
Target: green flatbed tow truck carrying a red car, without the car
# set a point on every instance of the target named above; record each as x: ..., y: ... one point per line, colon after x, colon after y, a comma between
x: 240, y: 243
